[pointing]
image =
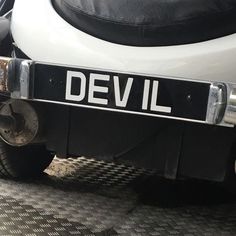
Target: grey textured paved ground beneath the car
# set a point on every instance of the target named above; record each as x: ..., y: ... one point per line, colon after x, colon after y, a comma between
x: 87, y: 197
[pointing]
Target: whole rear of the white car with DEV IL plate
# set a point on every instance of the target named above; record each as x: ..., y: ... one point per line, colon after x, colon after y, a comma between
x: 149, y: 83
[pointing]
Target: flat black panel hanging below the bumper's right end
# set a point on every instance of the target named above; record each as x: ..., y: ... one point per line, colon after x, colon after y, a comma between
x: 206, y: 152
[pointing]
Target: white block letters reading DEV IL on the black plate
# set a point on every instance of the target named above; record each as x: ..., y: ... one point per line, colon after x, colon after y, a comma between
x: 149, y: 91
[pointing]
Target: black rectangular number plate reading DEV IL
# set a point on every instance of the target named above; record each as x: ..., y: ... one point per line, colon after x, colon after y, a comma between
x: 121, y: 92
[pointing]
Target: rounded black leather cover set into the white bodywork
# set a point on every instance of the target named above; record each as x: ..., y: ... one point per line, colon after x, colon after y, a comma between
x: 151, y: 22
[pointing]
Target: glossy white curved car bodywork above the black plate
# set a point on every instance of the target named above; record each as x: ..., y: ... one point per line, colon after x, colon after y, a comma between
x: 44, y: 36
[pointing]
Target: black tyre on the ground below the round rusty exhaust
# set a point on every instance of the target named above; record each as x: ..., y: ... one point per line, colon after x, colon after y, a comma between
x: 26, y: 161
